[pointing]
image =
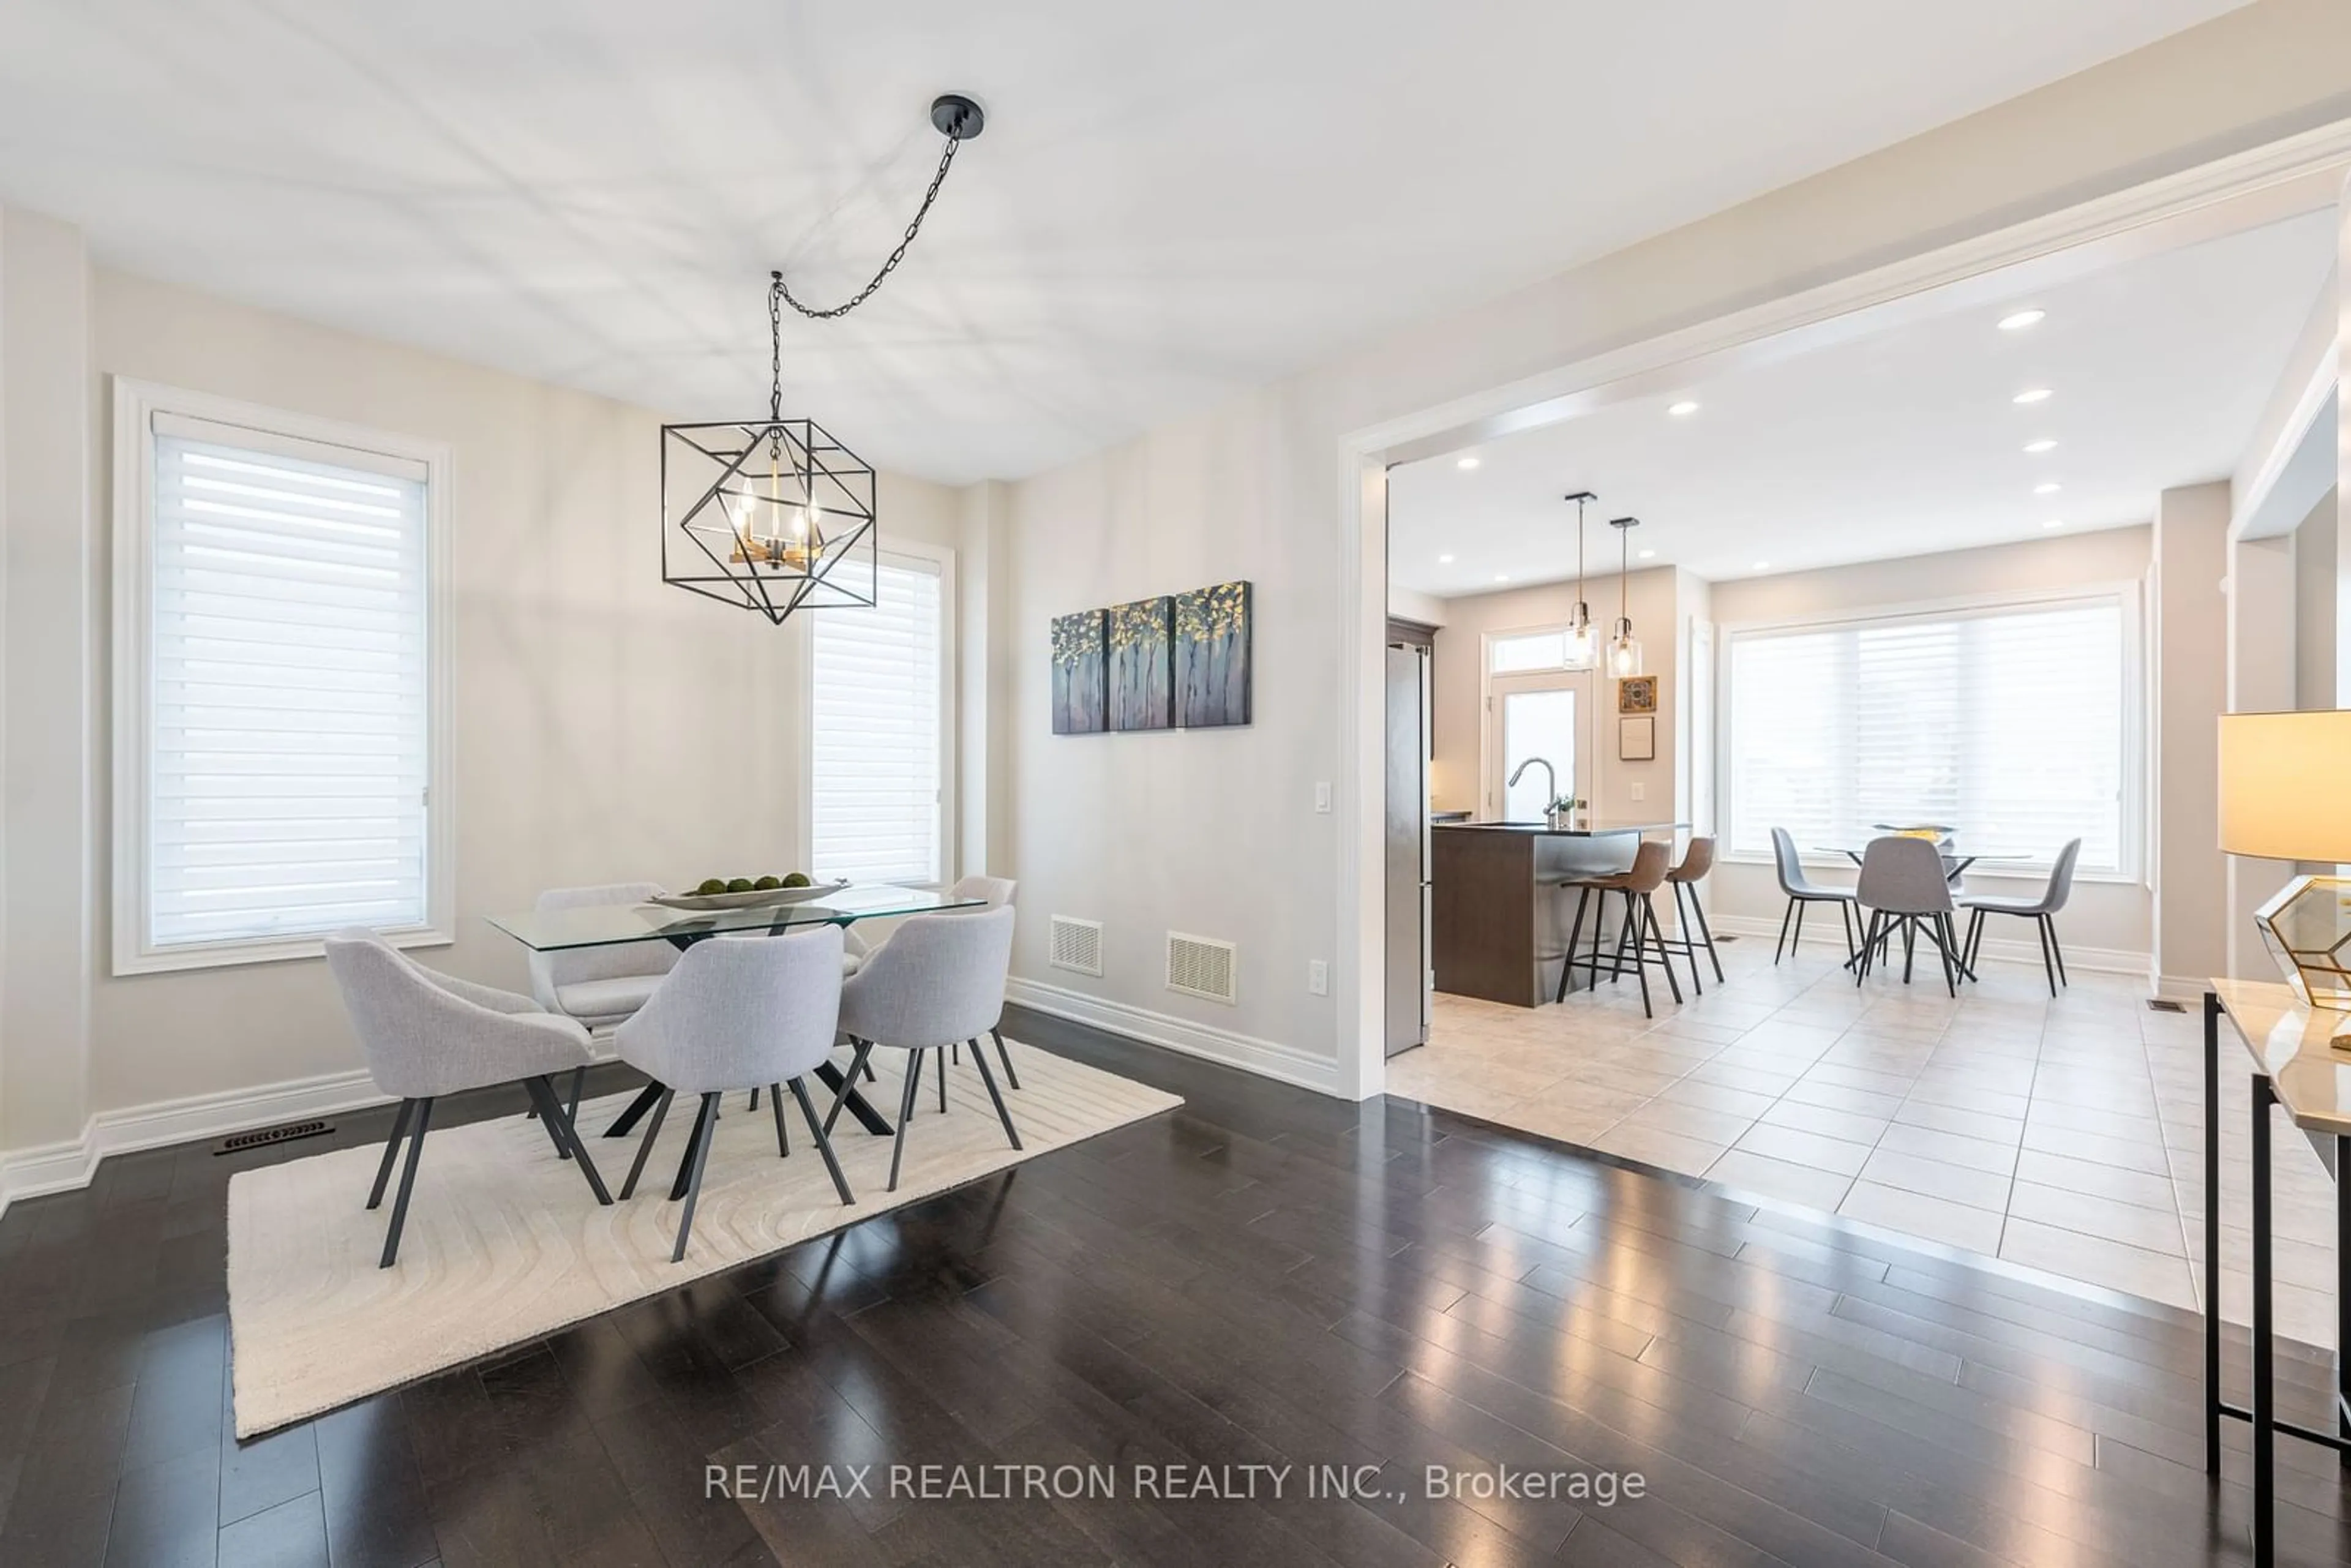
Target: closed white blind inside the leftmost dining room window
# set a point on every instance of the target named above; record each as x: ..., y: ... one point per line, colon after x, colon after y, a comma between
x: 288, y: 702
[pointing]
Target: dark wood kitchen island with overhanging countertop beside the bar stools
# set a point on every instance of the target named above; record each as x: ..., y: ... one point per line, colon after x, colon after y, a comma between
x: 1499, y: 918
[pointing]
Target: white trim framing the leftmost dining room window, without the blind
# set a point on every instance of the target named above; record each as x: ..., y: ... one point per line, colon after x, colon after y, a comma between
x: 133, y: 617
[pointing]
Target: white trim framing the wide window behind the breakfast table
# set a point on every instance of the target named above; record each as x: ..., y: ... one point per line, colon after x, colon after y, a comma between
x: 2136, y: 753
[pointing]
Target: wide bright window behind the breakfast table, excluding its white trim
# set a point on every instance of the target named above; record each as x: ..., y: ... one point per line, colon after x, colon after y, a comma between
x: 2016, y: 725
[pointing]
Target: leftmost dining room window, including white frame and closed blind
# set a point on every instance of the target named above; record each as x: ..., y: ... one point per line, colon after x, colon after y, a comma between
x: 279, y: 770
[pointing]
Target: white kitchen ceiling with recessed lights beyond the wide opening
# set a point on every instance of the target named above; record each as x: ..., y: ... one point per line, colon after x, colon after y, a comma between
x: 1898, y: 443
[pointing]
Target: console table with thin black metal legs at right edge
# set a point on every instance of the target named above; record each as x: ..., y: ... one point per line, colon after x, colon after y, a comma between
x: 2296, y: 1068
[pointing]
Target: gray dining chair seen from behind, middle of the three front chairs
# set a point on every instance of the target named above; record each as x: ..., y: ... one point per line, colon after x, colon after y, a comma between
x: 737, y: 1014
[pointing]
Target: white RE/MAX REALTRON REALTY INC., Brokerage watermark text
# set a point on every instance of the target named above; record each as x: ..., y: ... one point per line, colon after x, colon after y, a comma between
x: 1167, y: 1482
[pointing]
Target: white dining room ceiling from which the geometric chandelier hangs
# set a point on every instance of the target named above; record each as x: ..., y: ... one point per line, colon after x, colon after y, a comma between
x: 1170, y: 203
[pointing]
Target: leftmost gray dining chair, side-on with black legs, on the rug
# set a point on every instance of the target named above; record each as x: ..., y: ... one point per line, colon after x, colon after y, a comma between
x: 431, y: 1036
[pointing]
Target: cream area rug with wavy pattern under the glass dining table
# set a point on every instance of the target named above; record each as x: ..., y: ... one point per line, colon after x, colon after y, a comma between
x: 507, y: 1245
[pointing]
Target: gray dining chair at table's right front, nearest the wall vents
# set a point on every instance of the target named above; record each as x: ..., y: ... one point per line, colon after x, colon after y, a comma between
x: 932, y: 986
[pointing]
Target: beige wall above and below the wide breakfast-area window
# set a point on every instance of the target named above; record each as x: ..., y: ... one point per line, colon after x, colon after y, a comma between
x: 2108, y: 920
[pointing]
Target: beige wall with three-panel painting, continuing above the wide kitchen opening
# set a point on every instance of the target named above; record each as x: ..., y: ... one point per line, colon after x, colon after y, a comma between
x: 1228, y: 840
